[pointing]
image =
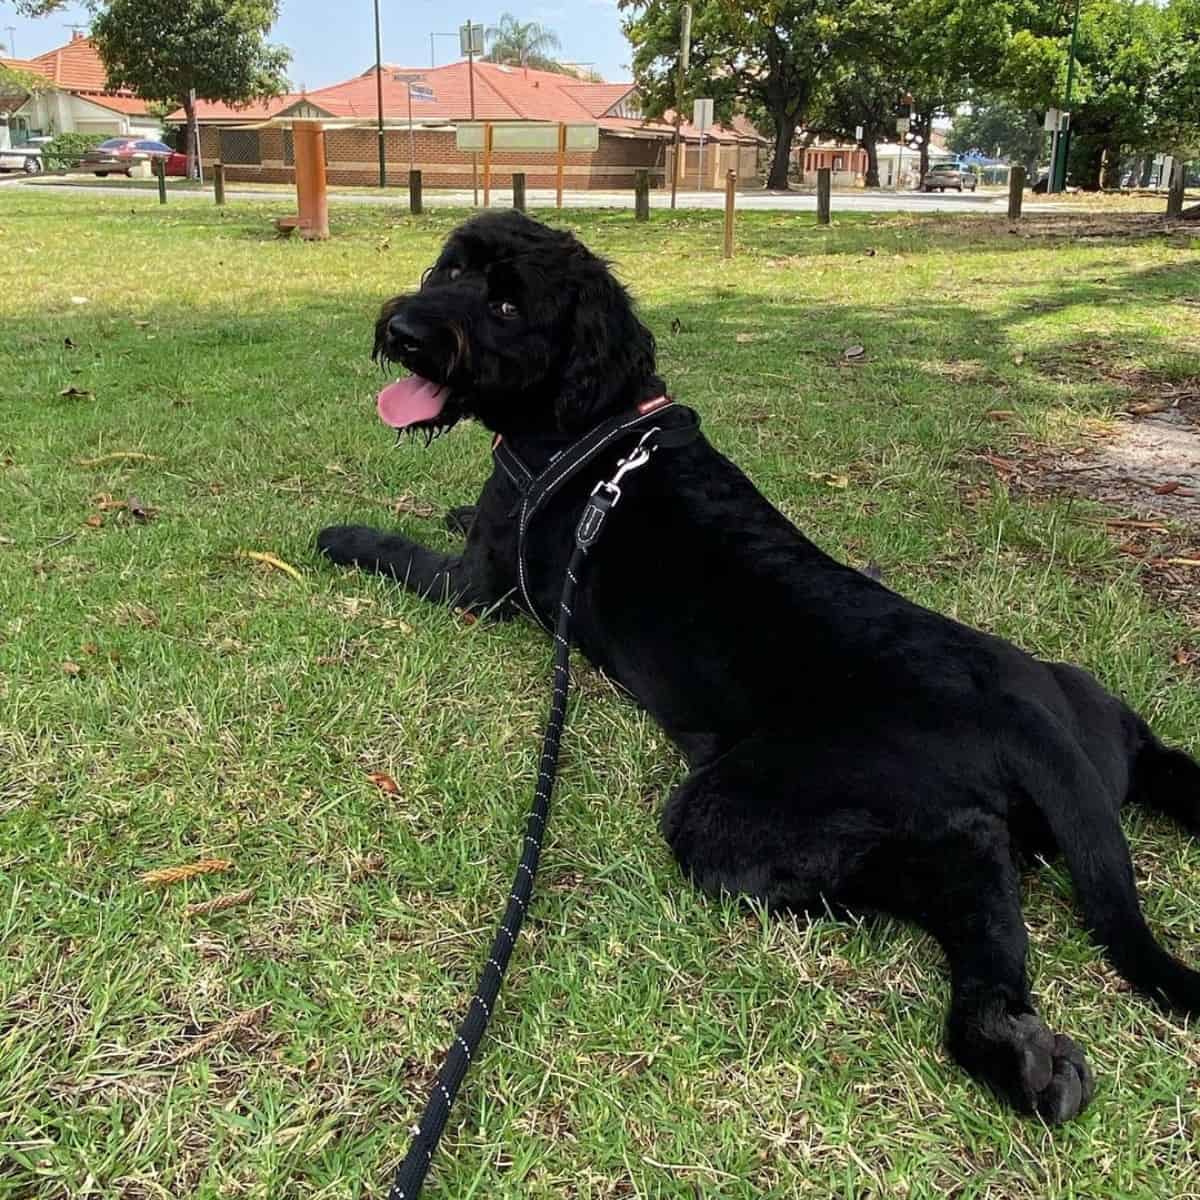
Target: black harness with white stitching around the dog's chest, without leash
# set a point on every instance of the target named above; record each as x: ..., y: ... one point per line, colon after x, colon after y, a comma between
x: 663, y: 425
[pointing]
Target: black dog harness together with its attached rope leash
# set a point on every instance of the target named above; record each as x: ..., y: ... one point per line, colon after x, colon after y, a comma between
x: 662, y: 427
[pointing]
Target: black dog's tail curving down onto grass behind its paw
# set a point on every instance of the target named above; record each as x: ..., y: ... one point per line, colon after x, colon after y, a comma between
x: 1088, y: 831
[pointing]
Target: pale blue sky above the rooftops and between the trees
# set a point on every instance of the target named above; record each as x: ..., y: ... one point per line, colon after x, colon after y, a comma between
x: 332, y: 43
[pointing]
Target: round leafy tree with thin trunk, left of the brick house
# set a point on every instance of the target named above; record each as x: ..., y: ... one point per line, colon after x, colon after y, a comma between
x: 177, y: 52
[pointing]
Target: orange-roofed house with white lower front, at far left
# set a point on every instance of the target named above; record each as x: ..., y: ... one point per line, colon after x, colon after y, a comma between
x: 76, y: 98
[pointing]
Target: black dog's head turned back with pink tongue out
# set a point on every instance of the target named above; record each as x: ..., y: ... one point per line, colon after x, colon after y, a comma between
x: 519, y: 326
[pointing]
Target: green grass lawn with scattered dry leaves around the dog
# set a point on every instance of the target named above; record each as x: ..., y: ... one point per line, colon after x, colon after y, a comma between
x: 650, y: 1043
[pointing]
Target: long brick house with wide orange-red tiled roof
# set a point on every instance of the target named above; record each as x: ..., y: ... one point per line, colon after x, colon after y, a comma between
x: 255, y: 142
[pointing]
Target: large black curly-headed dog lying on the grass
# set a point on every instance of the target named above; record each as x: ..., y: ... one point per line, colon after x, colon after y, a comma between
x: 848, y: 748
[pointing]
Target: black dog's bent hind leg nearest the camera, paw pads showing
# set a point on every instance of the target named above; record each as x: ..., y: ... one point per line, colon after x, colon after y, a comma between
x: 790, y: 827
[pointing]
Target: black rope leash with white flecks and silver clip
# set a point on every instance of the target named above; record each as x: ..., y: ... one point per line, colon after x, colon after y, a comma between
x: 604, y: 499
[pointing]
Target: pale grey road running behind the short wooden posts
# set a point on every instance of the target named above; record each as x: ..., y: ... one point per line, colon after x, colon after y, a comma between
x: 542, y: 199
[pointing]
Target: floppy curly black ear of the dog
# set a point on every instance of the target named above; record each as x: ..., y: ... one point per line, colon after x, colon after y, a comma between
x: 610, y: 357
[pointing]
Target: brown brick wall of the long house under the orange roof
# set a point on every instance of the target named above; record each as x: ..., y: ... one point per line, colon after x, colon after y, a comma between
x: 352, y: 158
